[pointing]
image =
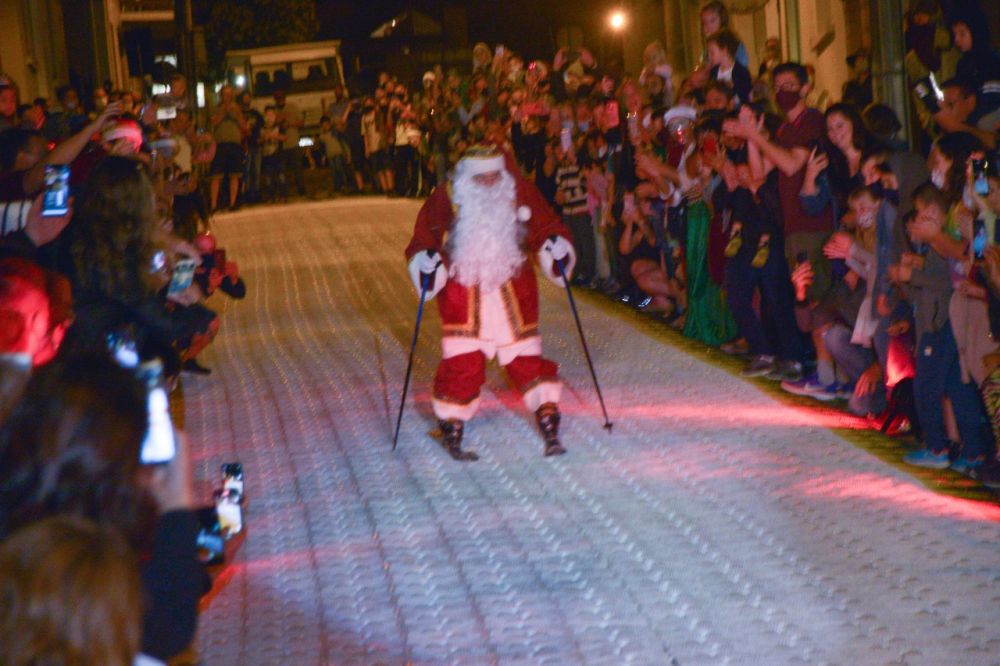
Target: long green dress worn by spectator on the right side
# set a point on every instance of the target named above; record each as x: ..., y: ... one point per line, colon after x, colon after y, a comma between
x: 708, y: 316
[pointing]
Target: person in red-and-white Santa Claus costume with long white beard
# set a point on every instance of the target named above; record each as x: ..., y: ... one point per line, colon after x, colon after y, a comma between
x: 472, y: 247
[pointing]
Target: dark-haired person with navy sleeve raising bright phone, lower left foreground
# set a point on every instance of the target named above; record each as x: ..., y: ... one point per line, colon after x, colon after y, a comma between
x: 81, y: 423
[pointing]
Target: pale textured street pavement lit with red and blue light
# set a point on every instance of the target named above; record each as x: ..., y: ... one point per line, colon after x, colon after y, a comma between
x: 714, y: 526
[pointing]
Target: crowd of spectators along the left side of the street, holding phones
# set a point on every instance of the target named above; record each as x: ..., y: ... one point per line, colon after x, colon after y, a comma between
x: 106, y: 262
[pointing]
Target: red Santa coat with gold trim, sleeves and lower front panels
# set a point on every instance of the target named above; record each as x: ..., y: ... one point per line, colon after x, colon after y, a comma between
x: 458, y: 304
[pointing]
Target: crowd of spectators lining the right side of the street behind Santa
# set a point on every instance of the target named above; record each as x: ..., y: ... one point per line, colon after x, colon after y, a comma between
x: 843, y: 263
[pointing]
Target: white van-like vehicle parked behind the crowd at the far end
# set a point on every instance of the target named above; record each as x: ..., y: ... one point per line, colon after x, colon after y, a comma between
x: 310, y: 73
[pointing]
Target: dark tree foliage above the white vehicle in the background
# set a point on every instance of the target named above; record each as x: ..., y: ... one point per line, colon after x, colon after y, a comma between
x: 246, y: 24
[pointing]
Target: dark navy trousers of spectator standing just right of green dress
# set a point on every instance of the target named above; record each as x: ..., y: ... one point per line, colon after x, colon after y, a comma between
x: 741, y: 280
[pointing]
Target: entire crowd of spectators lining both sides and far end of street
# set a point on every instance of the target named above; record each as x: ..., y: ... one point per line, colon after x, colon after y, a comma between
x: 841, y: 261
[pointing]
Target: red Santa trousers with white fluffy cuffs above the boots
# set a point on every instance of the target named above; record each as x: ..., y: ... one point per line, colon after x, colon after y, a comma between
x: 459, y: 378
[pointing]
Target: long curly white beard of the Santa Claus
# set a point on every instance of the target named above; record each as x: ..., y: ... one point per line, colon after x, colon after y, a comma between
x: 485, y: 241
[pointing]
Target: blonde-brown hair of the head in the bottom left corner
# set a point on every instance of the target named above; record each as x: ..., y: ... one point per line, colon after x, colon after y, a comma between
x: 71, y: 596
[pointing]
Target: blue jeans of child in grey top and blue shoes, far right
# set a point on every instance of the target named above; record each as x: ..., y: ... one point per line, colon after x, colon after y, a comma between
x: 939, y: 375
